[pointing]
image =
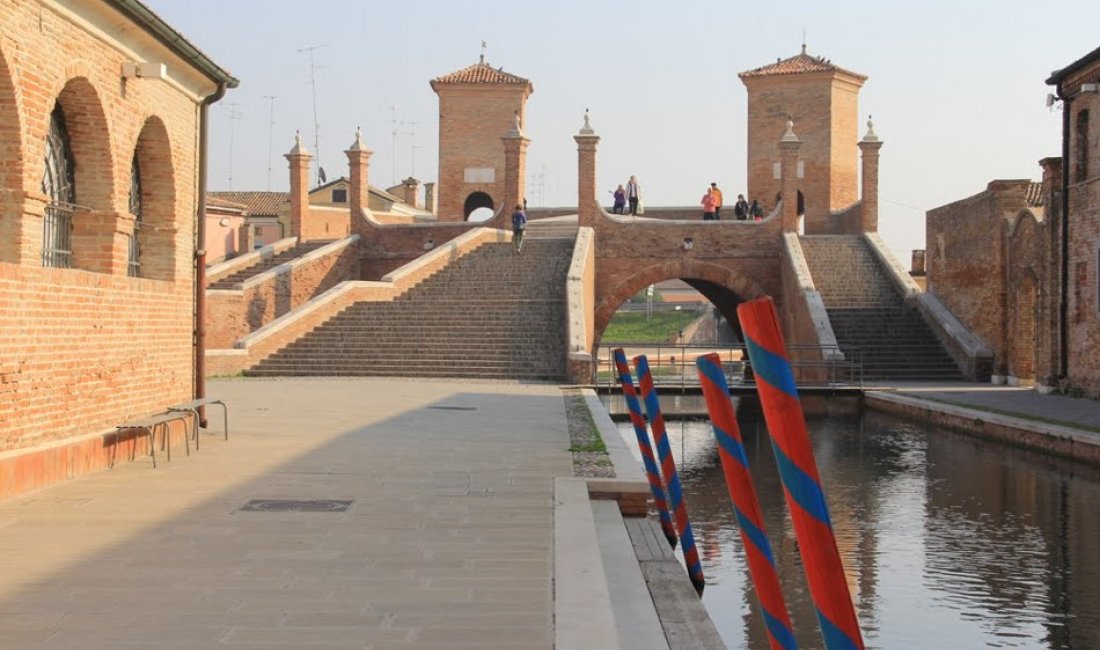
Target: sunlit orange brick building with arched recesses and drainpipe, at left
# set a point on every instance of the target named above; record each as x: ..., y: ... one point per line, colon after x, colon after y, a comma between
x: 102, y: 124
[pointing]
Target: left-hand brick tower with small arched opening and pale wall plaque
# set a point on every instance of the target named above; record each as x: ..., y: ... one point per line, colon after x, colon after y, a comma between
x: 478, y: 106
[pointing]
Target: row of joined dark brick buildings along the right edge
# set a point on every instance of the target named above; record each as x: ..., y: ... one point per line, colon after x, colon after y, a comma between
x: 1019, y: 274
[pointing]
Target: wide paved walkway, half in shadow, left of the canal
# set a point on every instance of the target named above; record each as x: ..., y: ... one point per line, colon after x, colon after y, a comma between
x: 447, y: 543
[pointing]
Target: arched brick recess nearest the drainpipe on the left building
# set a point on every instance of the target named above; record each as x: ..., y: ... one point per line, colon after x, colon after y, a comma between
x: 155, y: 196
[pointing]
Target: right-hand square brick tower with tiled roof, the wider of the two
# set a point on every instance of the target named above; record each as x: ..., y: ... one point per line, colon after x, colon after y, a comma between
x: 823, y: 101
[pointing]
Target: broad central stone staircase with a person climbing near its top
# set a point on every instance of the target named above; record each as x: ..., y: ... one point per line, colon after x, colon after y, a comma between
x: 492, y: 315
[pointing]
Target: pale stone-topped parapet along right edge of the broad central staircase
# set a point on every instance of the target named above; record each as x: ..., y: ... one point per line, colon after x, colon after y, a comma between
x: 580, y: 306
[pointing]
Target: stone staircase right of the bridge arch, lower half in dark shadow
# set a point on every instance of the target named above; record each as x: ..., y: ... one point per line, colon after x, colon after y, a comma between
x: 873, y: 326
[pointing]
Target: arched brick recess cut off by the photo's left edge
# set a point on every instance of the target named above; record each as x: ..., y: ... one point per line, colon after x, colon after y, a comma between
x: 12, y: 172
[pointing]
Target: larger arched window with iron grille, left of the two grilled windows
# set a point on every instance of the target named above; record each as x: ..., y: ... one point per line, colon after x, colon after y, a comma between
x: 59, y: 185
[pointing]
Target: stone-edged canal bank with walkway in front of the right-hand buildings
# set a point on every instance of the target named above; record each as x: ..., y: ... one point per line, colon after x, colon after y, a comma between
x: 1059, y: 425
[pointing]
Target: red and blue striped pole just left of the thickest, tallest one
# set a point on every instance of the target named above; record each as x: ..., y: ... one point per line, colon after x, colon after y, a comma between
x: 735, y: 466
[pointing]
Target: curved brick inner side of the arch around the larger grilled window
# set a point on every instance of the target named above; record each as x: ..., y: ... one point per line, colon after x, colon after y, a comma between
x: 89, y: 134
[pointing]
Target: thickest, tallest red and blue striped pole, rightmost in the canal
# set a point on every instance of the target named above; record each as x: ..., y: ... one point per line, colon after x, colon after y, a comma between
x: 802, y: 487
